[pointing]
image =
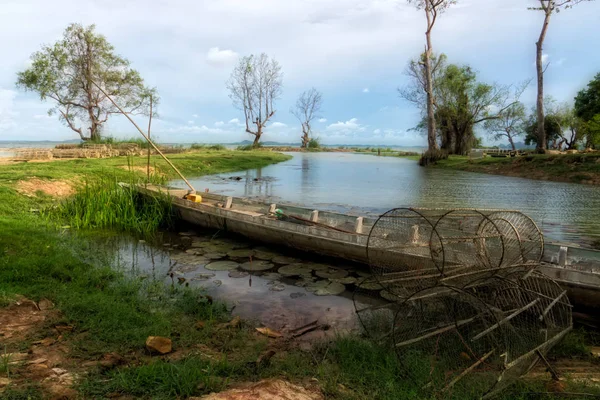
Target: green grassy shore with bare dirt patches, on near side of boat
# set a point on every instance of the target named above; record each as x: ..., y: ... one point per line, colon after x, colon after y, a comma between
x: 101, y: 318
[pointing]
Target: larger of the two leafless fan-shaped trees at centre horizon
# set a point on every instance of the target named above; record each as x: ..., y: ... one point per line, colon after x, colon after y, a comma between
x: 254, y: 85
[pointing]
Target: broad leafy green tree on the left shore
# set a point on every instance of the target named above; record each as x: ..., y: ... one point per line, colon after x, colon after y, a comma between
x: 66, y: 72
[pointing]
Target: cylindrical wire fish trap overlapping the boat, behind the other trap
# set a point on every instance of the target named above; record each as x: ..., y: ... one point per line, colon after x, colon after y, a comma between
x: 413, y: 249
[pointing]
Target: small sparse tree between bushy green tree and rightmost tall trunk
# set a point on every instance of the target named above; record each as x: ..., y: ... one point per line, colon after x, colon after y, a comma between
x: 509, y: 123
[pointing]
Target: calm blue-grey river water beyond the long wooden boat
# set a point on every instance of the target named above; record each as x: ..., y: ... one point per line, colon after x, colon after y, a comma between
x: 365, y: 184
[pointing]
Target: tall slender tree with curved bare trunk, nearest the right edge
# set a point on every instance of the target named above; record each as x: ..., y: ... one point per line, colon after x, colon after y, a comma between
x: 549, y: 7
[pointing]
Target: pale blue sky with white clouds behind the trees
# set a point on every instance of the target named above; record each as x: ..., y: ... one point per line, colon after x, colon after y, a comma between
x: 354, y: 51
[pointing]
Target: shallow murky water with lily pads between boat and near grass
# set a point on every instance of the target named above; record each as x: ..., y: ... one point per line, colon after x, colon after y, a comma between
x: 251, y: 297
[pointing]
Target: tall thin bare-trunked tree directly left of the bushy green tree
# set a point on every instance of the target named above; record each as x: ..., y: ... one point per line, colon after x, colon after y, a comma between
x: 432, y: 9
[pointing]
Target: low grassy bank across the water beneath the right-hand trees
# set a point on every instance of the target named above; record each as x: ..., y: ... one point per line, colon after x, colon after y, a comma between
x: 575, y: 168
